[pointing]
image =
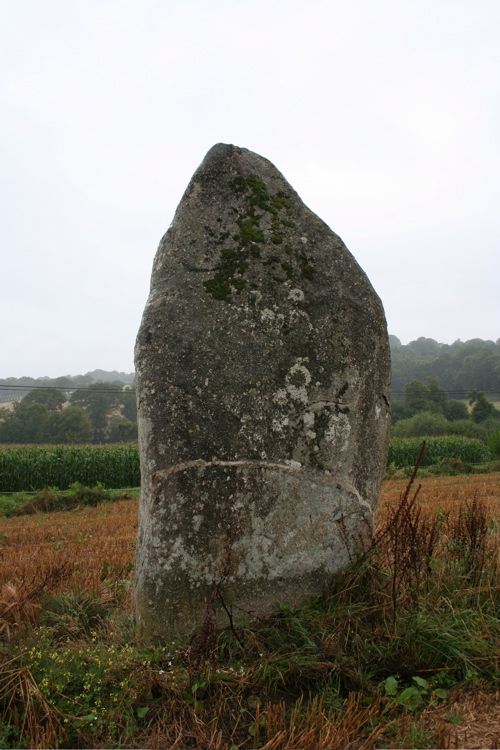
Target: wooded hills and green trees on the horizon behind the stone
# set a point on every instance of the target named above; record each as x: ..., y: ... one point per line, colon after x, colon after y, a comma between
x: 424, y: 375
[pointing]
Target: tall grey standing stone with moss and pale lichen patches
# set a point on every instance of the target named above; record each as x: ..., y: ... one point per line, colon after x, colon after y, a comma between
x: 263, y: 368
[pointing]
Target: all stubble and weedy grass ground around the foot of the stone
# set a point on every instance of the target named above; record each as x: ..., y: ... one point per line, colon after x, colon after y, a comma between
x: 407, y: 634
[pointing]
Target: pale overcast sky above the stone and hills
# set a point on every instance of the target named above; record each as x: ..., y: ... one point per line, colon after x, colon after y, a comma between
x: 384, y: 115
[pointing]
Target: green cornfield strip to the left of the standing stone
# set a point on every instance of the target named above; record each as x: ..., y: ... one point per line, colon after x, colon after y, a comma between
x: 35, y: 467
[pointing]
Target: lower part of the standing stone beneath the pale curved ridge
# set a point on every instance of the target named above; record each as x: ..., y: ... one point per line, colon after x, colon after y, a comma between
x: 274, y: 534
